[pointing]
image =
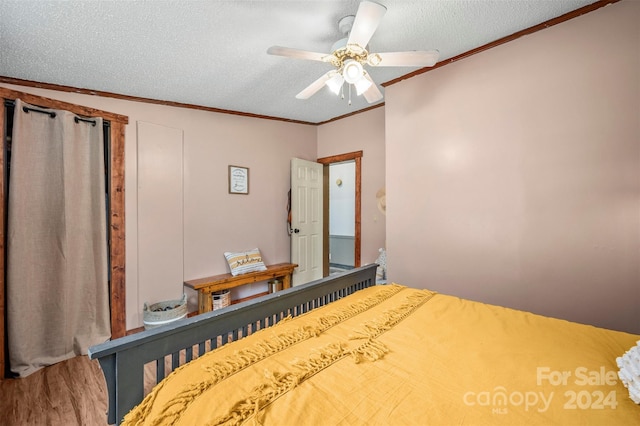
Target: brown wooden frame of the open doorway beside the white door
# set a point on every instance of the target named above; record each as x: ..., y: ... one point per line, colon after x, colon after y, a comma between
x: 327, y: 161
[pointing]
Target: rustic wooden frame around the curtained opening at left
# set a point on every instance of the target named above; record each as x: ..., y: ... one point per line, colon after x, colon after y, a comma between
x: 116, y: 204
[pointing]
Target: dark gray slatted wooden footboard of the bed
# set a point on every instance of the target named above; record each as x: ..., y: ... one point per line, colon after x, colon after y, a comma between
x: 123, y: 360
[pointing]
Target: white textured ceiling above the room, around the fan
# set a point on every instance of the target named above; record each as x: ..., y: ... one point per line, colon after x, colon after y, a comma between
x: 213, y: 53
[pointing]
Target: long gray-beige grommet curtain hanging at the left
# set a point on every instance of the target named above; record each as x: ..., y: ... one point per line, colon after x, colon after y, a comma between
x: 57, y: 269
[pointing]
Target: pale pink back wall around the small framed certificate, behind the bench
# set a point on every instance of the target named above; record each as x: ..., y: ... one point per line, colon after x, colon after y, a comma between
x: 214, y: 221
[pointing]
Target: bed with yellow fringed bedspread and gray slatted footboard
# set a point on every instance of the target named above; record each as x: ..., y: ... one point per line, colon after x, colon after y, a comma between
x: 343, y: 350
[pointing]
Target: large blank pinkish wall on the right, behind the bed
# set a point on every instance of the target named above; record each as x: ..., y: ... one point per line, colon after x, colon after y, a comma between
x: 513, y: 176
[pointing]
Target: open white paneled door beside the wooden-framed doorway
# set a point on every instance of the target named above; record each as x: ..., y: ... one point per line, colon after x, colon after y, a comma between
x: 306, y: 220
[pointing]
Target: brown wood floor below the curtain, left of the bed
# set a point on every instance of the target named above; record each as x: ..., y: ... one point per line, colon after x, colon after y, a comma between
x: 70, y: 393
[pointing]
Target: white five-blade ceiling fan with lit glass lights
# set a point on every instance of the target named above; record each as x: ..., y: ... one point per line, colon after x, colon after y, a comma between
x: 349, y: 55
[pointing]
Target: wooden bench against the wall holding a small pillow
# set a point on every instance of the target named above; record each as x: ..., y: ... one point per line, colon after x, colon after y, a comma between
x: 206, y: 286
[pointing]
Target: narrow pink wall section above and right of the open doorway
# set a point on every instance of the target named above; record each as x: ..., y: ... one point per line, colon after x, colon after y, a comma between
x: 362, y: 132
